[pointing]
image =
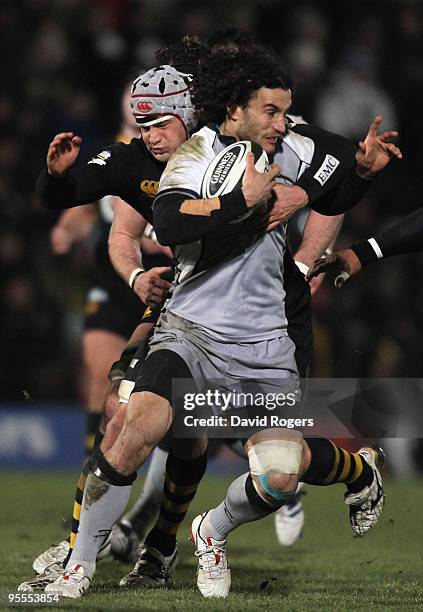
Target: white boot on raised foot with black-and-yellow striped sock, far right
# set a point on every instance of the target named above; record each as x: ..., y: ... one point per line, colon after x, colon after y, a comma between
x: 366, y: 506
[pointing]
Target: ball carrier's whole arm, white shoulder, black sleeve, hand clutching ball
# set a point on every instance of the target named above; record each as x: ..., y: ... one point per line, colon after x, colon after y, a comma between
x: 182, y: 216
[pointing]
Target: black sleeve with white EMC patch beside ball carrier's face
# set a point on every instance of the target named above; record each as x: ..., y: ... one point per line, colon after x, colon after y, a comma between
x: 331, y: 182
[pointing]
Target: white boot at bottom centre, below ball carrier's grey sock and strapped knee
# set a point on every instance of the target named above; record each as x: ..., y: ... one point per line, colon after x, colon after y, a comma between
x: 213, y: 574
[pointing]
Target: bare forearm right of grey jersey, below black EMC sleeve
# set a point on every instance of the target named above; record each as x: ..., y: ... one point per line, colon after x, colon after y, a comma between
x: 320, y: 233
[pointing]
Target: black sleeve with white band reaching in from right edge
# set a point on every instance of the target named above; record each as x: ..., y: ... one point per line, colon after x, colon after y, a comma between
x: 406, y: 236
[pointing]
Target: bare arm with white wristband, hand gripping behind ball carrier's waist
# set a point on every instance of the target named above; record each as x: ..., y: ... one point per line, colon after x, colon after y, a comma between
x: 124, y: 249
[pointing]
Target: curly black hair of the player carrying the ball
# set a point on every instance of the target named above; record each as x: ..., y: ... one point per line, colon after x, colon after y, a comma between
x: 230, y: 77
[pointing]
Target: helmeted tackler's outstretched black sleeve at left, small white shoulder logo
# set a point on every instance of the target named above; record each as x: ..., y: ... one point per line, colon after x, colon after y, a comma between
x: 84, y: 184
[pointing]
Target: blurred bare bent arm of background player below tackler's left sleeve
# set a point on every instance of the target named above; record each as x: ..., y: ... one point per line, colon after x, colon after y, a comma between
x: 73, y: 226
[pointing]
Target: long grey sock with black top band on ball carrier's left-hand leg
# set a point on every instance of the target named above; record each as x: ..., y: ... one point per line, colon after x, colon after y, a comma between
x: 106, y: 495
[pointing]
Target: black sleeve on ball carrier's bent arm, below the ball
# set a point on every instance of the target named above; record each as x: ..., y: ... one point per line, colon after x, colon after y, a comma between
x: 174, y: 227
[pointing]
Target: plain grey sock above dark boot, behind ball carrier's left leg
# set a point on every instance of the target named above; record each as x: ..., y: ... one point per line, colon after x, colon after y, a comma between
x: 147, y: 506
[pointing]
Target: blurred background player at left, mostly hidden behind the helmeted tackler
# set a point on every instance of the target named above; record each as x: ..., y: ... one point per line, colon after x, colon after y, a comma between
x: 112, y: 310
